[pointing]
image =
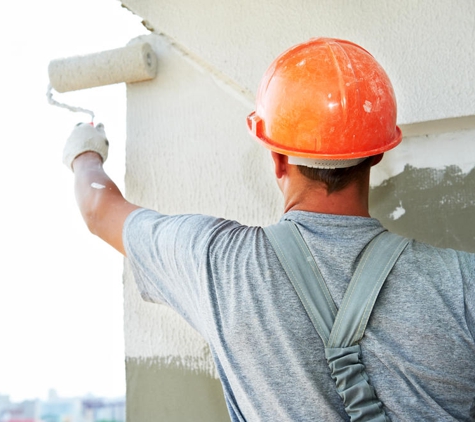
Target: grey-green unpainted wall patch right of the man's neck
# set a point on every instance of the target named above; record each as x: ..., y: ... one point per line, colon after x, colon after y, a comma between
x: 439, y: 206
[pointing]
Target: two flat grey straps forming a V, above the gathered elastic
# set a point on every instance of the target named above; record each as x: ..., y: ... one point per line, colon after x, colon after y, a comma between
x: 344, y: 327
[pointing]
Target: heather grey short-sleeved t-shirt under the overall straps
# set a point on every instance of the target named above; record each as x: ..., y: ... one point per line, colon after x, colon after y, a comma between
x: 226, y: 281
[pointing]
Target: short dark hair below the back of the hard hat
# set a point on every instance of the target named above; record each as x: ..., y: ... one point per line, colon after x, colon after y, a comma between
x: 337, y: 179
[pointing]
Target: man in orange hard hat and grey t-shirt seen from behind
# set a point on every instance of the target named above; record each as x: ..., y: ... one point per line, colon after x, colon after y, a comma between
x: 326, y: 110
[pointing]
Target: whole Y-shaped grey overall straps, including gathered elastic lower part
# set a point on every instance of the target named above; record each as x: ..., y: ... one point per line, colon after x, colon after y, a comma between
x: 341, y: 330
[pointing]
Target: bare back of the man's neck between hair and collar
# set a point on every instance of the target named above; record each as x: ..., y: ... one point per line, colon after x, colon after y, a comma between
x: 304, y: 195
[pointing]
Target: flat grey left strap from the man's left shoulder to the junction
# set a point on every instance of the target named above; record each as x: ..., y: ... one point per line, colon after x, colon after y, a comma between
x: 305, y: 276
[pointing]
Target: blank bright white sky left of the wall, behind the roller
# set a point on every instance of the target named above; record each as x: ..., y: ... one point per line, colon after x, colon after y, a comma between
x: 61, y: 303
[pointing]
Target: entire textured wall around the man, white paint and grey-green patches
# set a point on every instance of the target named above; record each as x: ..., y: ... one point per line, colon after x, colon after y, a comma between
x: 188, y: 149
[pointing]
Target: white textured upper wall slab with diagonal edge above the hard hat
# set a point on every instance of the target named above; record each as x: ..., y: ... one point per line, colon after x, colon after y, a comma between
x: 421, y: 44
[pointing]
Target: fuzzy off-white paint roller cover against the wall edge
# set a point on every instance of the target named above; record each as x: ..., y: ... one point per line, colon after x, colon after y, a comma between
x: 133, y: 63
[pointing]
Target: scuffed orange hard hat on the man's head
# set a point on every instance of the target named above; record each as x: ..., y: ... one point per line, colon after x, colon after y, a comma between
x: 326, y: 102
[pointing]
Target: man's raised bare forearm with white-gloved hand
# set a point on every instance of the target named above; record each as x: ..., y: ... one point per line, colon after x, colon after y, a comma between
x: 102, y: 205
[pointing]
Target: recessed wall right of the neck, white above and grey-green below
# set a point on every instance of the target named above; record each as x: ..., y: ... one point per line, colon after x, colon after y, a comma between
x: 424, y: 189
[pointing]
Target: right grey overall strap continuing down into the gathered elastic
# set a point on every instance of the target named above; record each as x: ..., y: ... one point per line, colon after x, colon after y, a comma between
x: 343, y: 351
